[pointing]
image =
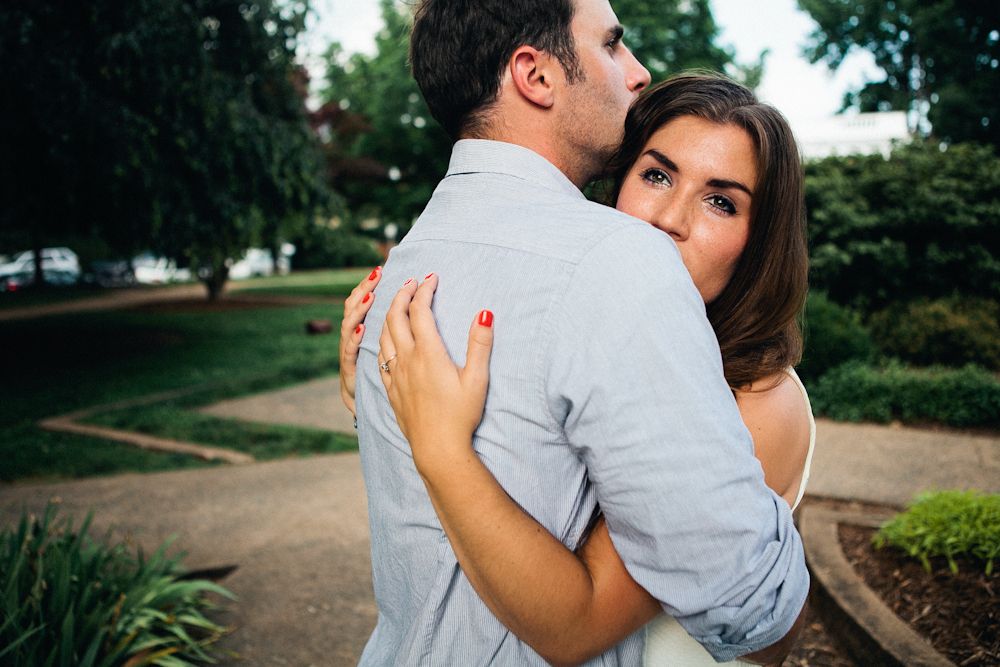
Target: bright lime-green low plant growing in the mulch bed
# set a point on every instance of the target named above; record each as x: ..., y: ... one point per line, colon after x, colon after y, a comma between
x: 948, y: 524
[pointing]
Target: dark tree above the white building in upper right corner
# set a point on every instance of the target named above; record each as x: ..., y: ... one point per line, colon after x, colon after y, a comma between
x: 941, y: 59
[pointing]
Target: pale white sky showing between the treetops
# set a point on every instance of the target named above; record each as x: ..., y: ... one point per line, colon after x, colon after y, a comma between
x: 801, y: 91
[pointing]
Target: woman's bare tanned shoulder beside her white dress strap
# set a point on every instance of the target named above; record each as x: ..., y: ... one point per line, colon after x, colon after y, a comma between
x: 777, y: 417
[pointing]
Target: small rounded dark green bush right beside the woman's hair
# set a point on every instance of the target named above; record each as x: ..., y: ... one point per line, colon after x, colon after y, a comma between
x: 833, y: 335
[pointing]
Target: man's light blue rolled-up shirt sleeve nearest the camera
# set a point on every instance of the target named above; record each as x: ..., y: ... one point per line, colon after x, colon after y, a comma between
x: 635, y: 378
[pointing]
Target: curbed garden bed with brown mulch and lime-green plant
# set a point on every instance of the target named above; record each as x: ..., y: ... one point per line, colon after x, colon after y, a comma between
x: 924, y: 592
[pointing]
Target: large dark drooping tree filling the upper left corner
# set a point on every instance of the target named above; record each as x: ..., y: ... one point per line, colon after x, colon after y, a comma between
x: 172, y: 124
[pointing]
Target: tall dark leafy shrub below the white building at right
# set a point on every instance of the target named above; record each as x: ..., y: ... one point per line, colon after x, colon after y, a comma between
x: 920, y: 224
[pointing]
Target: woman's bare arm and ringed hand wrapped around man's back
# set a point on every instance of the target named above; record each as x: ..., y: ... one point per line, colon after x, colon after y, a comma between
x: 566, y: 606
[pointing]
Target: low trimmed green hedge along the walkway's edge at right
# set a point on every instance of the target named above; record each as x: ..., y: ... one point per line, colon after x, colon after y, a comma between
x: 968, y: 396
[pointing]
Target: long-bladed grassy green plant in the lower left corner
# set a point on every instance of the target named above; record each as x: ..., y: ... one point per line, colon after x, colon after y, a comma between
x: 70, y: 600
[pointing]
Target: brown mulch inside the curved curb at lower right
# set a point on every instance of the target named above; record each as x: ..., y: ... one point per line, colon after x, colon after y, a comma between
x: 959, y: 614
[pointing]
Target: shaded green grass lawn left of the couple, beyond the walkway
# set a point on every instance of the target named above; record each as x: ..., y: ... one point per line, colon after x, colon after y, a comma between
x: 54, y: 365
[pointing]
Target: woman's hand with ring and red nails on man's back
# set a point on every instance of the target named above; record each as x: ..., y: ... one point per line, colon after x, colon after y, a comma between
x: 437, y: 404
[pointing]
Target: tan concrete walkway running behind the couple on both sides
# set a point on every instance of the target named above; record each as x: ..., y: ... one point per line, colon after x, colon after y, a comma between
x: 297, y: 529
